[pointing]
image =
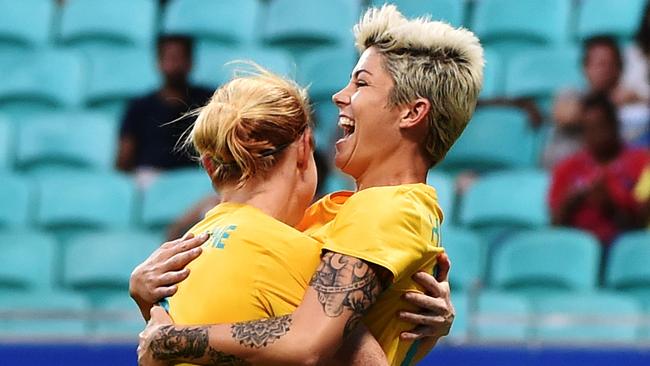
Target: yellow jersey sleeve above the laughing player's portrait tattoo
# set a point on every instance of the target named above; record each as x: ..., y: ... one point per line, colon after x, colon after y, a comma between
x: 397, y: 230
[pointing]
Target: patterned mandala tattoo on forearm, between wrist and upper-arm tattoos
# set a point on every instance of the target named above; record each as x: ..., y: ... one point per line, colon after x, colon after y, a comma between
x: 261, y: 333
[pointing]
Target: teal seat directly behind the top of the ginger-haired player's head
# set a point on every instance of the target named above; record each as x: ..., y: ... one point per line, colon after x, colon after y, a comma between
x: 215, y: 65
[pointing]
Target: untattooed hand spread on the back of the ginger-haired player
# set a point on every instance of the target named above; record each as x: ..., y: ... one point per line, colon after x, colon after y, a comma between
x: 157, y: 277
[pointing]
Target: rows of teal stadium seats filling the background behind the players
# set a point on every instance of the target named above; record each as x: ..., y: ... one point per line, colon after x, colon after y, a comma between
x: 72, y: 228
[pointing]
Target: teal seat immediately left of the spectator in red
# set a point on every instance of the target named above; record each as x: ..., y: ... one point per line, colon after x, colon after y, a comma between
x: 509, y: 199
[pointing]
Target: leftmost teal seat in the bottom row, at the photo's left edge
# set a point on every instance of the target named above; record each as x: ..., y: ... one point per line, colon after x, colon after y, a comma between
x: 43, y: 315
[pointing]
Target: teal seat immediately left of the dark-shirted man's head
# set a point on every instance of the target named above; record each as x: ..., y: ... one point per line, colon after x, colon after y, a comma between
x: 116, y: 75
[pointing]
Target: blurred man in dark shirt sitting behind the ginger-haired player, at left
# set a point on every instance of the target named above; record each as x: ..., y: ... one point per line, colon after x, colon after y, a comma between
x: 152, y: 124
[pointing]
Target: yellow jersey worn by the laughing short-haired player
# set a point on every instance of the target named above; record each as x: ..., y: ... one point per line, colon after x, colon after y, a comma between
x: 395, y: 227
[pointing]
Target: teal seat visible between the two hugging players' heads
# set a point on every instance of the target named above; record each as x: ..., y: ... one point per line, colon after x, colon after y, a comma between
x: 325, y: 72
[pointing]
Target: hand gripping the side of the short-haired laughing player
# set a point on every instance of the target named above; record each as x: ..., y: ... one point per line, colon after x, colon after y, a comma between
x: 436, y: 313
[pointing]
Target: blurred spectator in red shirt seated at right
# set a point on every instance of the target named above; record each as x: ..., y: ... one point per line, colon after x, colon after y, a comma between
x: 593, y: 188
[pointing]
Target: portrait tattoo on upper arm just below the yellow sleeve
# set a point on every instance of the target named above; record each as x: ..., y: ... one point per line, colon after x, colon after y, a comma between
x: 345, y: 282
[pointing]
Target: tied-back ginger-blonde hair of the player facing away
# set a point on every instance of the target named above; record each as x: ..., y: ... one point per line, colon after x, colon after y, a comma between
x: 247, y: 124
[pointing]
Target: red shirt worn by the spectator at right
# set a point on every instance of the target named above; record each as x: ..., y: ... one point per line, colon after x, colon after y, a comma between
x: 581, y: 171
